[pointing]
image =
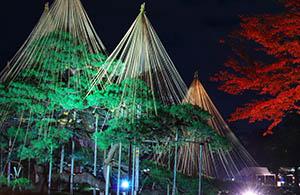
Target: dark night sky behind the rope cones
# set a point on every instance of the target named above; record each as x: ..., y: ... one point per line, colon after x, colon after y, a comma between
x: 189, y: 29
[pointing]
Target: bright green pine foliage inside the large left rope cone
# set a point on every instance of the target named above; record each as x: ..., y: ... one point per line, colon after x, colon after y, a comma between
x: 46, y: 100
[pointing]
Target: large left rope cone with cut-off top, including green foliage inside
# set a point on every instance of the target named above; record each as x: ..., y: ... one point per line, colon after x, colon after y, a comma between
x: 43, y: 87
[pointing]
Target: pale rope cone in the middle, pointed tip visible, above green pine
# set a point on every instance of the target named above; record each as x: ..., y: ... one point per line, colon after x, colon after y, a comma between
x: 141, y: 55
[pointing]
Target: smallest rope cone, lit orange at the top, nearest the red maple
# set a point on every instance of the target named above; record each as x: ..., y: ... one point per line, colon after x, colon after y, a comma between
x: 220, y: 164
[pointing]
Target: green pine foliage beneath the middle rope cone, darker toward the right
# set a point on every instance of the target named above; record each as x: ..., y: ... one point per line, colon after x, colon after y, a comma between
x: 138, y: 116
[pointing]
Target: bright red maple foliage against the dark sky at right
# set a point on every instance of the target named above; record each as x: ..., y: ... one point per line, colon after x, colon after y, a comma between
x: 266, y: 61
